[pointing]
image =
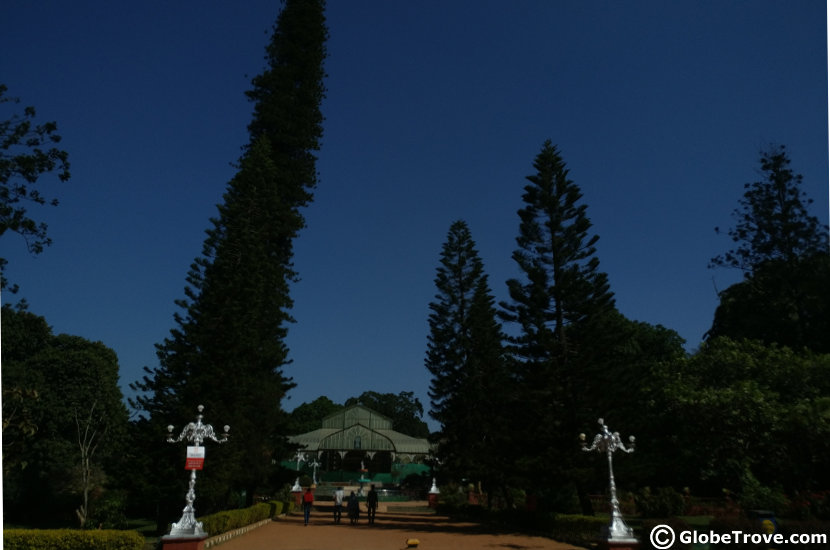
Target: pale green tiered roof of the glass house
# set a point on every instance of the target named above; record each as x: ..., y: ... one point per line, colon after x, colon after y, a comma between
x: 358, y: 428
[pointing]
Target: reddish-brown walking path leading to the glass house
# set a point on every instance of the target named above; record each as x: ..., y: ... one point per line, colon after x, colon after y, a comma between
x: 391, y: 531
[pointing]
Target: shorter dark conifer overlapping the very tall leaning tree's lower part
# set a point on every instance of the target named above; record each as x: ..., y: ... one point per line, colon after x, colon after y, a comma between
x: 229, y: 351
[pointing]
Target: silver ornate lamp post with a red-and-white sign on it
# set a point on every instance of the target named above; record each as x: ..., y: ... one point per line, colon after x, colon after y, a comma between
x: 195, y: 433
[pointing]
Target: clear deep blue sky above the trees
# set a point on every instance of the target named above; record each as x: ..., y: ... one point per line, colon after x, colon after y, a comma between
x: 434, y: 112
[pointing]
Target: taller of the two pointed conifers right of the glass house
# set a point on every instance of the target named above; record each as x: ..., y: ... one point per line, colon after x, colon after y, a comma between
x: 561, y: 296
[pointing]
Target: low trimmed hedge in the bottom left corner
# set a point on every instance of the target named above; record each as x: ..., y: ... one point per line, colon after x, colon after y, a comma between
x: 71, y: 539
